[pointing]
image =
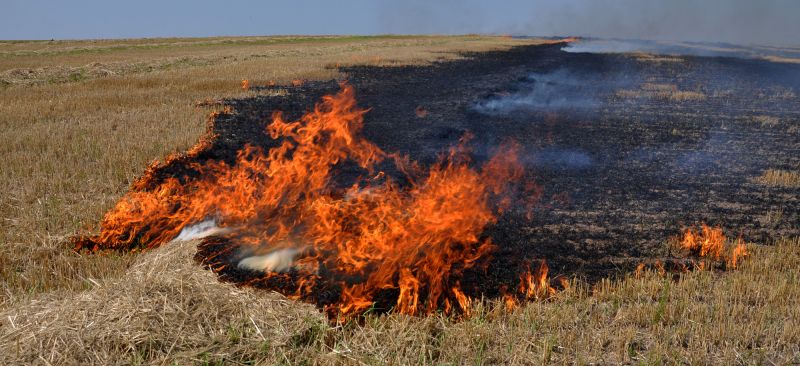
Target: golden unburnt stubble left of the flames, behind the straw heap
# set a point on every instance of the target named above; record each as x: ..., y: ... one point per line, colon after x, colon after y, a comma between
x: 71, y: 146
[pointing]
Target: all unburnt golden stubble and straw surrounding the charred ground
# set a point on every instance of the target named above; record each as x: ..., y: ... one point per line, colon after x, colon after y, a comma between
x: 71, y: 145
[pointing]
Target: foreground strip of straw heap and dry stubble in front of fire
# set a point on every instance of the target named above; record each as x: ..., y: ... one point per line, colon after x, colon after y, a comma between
x: 168, y: 309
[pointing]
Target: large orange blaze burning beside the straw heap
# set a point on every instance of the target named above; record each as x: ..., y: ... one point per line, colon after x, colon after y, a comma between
x: 282, y: 214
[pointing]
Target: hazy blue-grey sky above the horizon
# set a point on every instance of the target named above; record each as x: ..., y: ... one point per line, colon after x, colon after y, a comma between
x: 775, y: 22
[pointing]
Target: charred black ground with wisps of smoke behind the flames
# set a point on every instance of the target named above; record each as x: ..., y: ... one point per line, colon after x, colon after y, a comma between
x: 620, y: 175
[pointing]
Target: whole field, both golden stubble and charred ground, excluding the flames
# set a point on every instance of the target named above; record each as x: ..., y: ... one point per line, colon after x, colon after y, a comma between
x: 678, y: 143
